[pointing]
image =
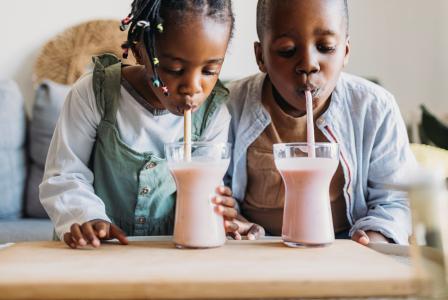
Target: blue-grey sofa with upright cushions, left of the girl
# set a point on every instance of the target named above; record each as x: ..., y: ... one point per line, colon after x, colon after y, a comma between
x: 24, y: 145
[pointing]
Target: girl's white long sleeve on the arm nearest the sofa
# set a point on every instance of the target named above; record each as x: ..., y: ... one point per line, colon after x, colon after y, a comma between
x: 67, y: 192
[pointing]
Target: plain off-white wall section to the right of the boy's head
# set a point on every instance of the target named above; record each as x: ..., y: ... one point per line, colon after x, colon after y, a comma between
x: 403, y: 43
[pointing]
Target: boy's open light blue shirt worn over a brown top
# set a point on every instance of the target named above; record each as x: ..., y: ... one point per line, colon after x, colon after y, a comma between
x: 365, y: 121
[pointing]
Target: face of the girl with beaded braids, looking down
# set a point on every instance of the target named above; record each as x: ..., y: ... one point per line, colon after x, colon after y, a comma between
x: 191, y: 55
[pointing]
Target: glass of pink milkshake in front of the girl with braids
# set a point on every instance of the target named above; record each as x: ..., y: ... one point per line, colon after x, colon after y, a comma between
x: 197, y: 175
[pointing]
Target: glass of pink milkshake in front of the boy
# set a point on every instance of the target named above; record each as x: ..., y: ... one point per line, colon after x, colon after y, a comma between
x: 307, y: 219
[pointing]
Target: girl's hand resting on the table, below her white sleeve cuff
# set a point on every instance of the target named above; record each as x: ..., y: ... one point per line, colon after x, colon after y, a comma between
x: 92, y: 232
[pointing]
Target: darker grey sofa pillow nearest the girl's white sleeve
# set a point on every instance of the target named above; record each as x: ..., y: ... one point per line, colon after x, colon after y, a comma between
x: 47, y: 105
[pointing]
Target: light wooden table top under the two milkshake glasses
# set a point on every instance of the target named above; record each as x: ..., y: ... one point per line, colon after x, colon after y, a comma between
x: 241, y: 269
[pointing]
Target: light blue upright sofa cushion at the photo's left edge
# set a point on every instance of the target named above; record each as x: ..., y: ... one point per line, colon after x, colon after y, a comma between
x: 12, y: 152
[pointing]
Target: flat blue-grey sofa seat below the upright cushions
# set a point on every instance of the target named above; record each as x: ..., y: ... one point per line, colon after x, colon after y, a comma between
x: 25, y: 230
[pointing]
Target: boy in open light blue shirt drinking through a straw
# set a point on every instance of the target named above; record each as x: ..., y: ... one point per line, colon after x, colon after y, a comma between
x: 304, y: 45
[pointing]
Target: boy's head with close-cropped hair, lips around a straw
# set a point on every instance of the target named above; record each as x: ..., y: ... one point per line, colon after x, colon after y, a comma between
x: 304, y: 46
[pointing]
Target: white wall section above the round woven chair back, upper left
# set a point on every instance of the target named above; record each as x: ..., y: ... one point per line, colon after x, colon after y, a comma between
x: 28, y: 24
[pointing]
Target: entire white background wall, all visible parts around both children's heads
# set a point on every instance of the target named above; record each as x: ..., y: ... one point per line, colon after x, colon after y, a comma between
x: 403, y: 43
